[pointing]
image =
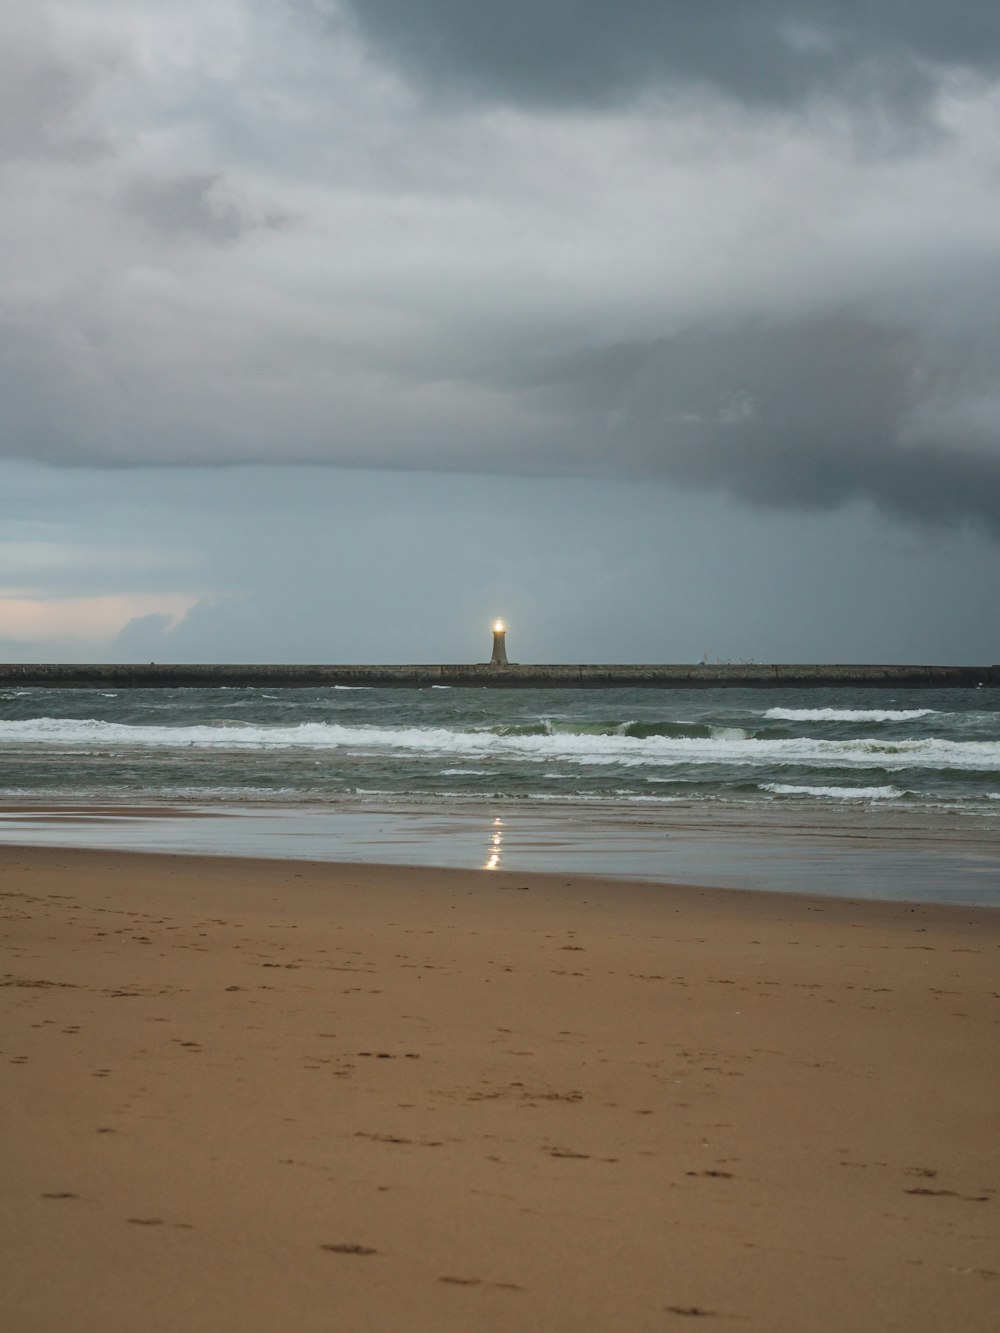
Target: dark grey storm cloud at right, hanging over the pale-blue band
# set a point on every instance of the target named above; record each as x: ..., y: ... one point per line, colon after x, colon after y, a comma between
x: 814, y: 414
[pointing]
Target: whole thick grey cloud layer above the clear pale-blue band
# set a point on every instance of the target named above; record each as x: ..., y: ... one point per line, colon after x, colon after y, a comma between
x: 757, y: 254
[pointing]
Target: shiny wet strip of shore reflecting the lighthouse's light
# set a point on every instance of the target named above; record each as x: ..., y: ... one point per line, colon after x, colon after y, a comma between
x: 846, y: 854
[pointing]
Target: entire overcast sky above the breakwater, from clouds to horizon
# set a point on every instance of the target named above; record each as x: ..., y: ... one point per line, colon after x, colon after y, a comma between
x: 331, y: 330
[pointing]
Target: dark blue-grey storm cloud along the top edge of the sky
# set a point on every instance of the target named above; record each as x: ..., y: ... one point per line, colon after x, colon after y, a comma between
x: 770, y: 53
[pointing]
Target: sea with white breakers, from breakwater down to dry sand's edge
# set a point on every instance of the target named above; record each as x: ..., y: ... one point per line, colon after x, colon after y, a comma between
x: 861, y: 792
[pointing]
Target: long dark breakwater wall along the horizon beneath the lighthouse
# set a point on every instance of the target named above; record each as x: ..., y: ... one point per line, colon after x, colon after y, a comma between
x: 487, y: 676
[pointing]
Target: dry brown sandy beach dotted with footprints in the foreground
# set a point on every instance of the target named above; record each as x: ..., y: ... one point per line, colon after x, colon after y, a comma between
x: 262, y: 1096
